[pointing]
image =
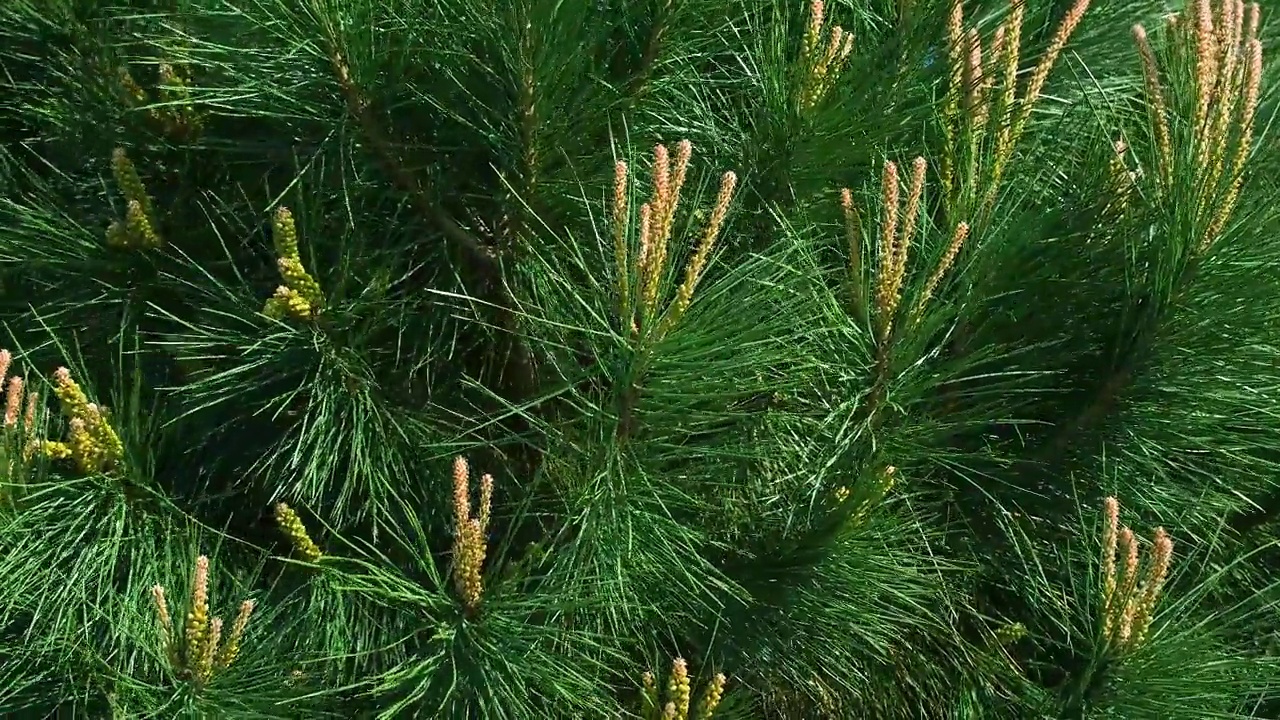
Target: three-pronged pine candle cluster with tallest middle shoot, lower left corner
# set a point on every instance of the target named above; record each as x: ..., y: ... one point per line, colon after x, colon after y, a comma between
x: 196, y: 655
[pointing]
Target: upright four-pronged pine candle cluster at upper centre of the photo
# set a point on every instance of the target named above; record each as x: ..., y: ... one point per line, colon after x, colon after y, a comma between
x: 657, y: 222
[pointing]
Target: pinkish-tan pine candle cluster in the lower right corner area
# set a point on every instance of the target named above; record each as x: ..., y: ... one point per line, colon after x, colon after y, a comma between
x: 1130, y: 594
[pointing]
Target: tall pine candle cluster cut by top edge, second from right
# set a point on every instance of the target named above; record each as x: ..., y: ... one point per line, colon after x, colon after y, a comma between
x: 984, y: 106
